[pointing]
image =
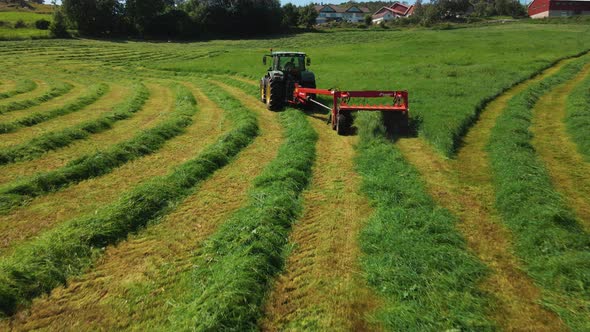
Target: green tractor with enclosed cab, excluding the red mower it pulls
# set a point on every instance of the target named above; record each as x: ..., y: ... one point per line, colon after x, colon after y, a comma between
x: 288, y: 69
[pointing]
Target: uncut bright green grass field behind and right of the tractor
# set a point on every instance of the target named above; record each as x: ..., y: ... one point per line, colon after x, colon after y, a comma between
x: 447, y: 72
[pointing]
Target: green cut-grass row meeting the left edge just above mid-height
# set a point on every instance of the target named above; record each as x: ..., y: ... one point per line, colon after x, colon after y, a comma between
x: 59, y: 139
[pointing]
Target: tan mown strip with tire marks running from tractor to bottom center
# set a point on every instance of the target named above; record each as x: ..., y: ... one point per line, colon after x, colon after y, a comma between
x: 322, y: 287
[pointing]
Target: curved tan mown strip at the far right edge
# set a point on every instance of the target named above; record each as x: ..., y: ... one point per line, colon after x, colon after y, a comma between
x: 568, y: 169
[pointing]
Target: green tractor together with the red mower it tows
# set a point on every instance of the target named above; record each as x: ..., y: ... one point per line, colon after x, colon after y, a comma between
x: 289, y: 82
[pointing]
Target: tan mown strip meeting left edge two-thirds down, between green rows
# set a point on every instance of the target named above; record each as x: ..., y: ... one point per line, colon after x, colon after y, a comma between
x: 46, y: 211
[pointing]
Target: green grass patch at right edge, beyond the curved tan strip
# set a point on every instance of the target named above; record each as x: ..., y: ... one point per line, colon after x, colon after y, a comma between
x: 578, y: 117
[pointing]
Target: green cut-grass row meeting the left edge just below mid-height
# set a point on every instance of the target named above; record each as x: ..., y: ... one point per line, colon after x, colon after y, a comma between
x: 102, y: 162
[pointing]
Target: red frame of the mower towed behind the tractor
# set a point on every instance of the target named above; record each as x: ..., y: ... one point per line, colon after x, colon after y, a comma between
x: 303, y: 96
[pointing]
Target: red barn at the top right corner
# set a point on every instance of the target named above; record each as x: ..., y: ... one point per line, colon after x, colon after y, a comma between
x: 558, y: 8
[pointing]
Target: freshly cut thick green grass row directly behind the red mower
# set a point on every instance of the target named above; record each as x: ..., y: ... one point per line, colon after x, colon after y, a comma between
x: 413, y: 255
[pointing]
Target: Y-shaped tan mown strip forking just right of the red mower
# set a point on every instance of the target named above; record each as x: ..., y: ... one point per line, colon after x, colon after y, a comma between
x: 464, y: 186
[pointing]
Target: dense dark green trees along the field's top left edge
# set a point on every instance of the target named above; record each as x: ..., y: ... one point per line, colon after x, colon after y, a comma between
x: 180, y: 18
